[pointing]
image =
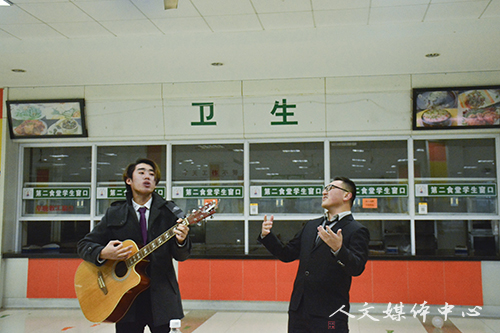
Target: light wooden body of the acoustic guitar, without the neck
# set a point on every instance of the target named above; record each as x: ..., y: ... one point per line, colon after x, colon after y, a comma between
x: 106, y: 292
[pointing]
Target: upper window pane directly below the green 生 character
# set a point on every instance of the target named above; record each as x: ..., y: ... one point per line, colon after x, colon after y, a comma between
x: 287, y: 178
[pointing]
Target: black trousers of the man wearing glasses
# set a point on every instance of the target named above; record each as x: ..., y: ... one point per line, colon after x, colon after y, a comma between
x: 301, y: 322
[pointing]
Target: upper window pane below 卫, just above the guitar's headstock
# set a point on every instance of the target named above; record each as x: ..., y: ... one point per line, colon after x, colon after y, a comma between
x: 202, y: 172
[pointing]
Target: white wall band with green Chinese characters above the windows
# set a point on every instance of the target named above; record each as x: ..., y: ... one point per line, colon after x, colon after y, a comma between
x: 333, y: 107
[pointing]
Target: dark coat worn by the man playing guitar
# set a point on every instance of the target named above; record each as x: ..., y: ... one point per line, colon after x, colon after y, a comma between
x: 120, y: 223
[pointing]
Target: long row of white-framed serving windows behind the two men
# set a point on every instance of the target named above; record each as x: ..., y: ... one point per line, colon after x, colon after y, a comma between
x: 448, y: 205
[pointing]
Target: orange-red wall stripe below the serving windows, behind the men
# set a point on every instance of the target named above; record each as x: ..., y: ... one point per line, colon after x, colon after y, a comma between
x: 384, y: 281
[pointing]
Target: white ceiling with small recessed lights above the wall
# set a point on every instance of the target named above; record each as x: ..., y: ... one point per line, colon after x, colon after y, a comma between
x: 74, y: 42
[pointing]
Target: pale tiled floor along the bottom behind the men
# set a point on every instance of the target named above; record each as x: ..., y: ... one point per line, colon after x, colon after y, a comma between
x: 206, y: 321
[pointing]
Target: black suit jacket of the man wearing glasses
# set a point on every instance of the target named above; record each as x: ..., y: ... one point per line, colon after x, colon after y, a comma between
x: 323, y: 280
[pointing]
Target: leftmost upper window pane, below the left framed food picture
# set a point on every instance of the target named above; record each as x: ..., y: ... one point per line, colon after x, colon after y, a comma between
x: 56, y: 181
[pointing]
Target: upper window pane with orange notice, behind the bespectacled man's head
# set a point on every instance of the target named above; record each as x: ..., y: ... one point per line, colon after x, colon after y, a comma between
x: 380, y: 171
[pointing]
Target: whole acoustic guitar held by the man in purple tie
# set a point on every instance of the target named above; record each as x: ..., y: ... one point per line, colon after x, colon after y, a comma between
x: 106, y: 292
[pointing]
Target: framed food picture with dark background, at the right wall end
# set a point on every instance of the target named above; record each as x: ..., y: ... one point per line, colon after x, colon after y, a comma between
x: 456, y: 108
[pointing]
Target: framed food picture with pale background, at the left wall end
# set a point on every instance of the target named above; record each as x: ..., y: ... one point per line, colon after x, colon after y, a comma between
x: 46, y: 118
